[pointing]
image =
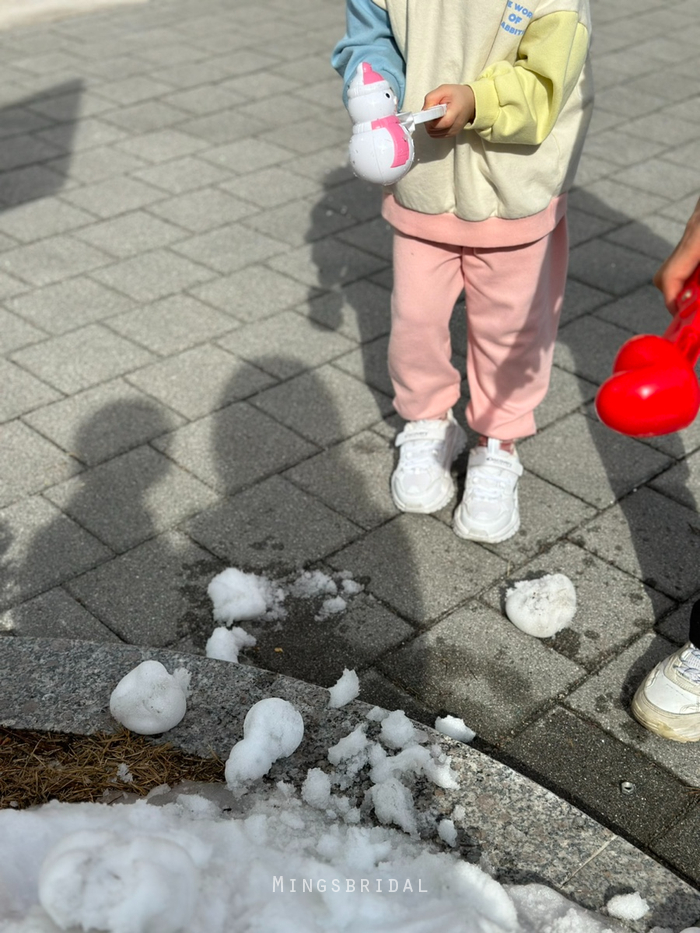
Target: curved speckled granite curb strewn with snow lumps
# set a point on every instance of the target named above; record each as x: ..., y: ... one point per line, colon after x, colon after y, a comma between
x: 517, y: 830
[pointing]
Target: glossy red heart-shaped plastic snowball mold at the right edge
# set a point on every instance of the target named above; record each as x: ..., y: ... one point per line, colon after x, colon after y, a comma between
x: 653, y: 389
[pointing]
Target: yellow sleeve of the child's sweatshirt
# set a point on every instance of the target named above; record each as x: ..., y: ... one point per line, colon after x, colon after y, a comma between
x: 520, y: 102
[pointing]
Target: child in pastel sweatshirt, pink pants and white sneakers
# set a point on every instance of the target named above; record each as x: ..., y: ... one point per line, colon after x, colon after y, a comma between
x: 484, y: 209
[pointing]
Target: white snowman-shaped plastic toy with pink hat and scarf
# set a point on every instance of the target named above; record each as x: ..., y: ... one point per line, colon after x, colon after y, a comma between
x: 381, y: 147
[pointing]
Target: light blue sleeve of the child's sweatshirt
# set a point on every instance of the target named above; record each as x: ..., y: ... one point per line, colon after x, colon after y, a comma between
x: 369, y: 38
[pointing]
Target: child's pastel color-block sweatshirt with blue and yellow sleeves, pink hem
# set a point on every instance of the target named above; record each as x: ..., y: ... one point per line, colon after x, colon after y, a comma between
x: 503, y: 179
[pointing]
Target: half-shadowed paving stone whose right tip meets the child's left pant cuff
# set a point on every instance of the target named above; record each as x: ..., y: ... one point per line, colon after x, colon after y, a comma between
x: 324, y: 405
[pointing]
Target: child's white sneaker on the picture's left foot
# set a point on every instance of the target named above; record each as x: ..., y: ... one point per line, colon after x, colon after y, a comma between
x: 422, y: 481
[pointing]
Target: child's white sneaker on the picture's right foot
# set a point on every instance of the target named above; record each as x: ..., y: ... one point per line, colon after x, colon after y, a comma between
x: 489, y: 509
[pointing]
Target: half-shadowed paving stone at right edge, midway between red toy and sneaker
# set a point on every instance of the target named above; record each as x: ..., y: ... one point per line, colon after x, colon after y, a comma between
x: 651, y: 537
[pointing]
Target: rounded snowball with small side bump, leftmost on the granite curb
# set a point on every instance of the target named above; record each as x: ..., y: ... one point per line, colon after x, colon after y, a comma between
x: 149, y: 700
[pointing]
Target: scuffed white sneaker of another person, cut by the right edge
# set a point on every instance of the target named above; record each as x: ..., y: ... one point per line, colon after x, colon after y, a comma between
x: 667, y: 701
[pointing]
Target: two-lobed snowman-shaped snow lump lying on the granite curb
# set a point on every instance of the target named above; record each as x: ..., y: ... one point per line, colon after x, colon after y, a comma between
x: 272, y: 729
